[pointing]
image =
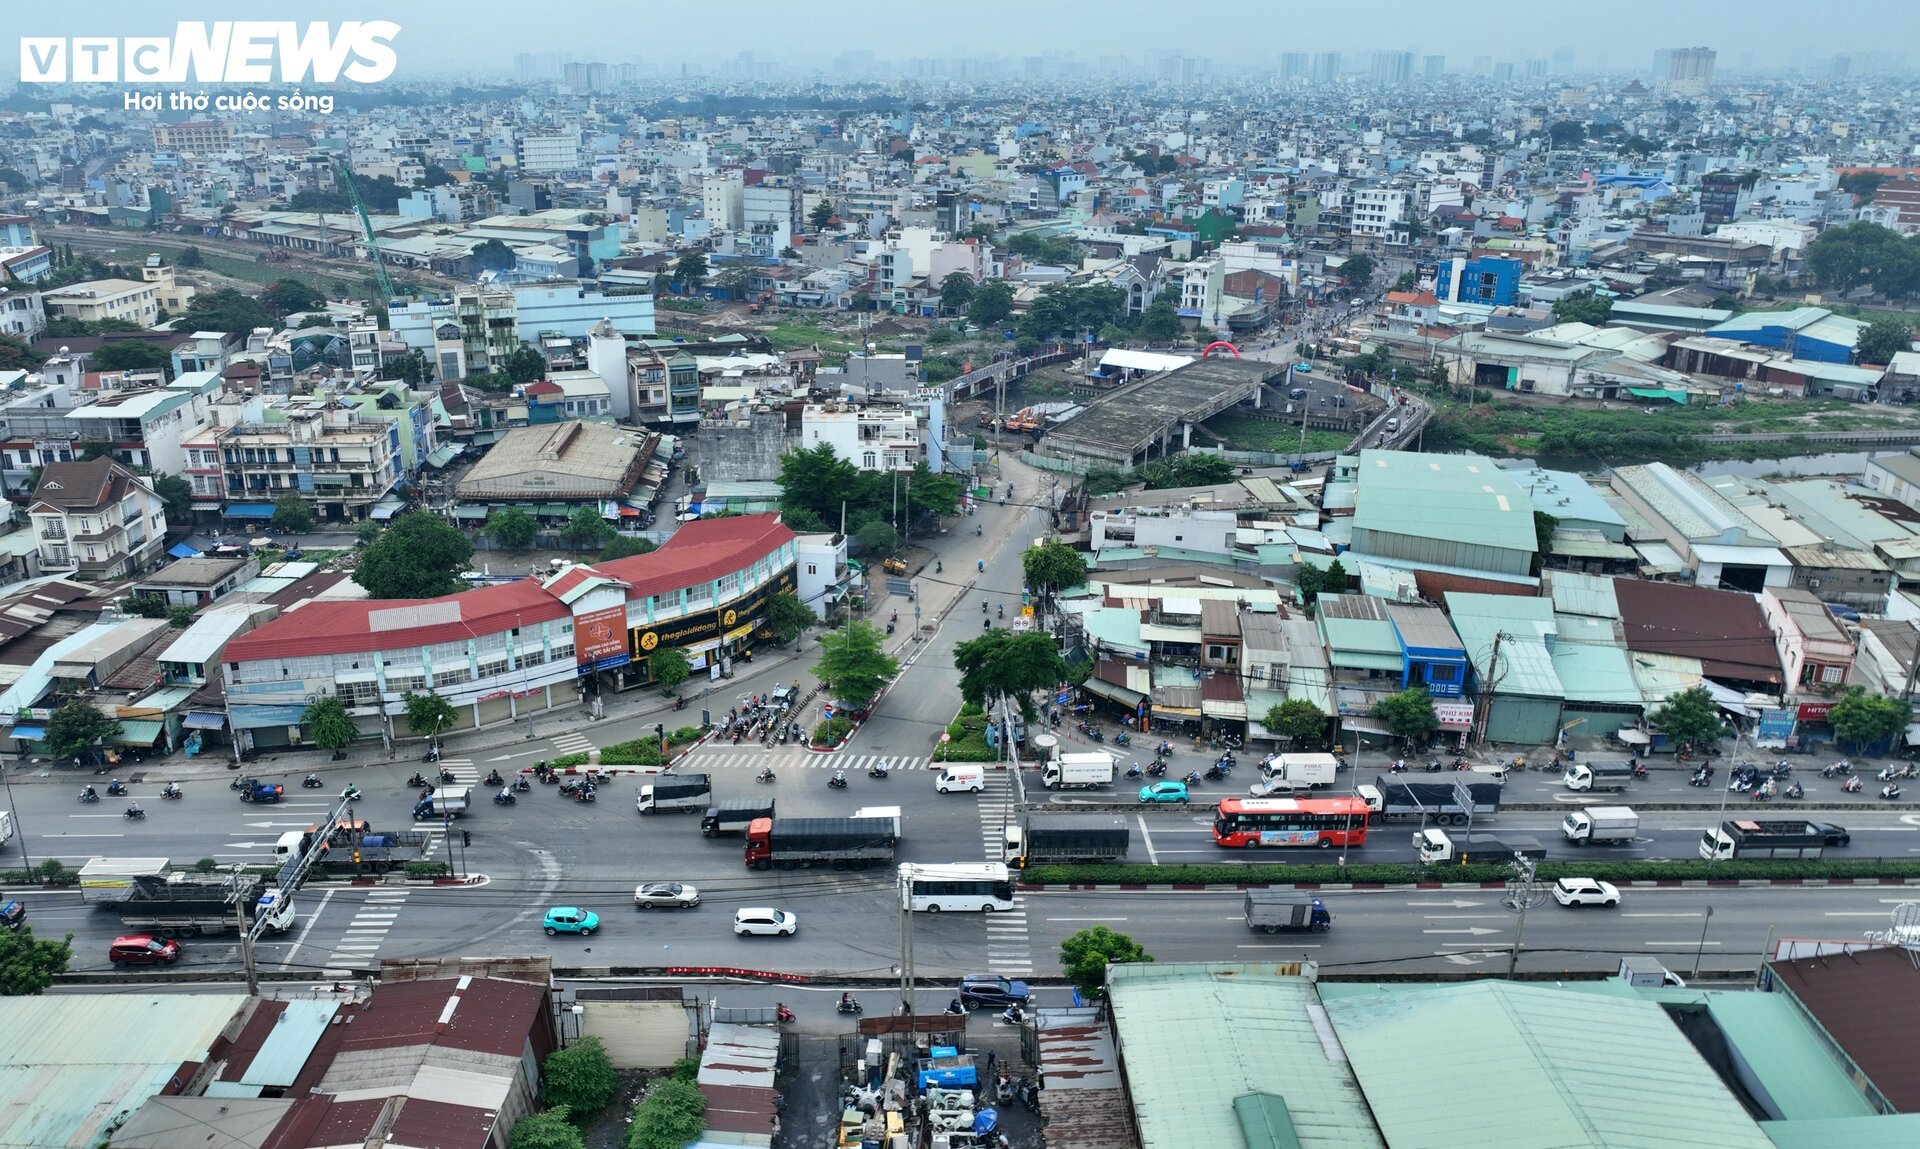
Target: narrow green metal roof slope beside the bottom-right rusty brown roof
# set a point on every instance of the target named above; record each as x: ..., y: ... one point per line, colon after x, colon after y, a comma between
x: 1788, y: 1058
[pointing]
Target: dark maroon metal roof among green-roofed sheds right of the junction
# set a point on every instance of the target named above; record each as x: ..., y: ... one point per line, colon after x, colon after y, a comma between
x: 1723, y: 629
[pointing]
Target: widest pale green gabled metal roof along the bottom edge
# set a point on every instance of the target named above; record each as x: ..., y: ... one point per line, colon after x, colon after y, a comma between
x: 1550, y: 1069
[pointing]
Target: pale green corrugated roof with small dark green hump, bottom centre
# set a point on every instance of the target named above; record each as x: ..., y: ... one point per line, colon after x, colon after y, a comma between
x: 1201, y: 1037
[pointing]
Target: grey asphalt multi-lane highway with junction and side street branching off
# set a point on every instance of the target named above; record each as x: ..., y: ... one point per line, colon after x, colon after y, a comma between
x: 550, y: 852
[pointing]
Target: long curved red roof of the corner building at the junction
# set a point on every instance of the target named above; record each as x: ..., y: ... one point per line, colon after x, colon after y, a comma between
x: 698, y: 552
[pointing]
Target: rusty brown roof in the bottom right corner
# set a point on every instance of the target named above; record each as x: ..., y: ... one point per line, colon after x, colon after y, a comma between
x: 1869, y: 1004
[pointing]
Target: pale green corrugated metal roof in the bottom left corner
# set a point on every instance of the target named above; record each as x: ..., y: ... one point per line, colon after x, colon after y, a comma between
x: 74, y: 1062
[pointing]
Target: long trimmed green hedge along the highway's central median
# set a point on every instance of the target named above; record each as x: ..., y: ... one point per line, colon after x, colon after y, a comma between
x: 1612, y: 871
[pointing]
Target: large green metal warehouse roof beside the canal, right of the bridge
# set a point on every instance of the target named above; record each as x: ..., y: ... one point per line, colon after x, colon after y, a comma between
x: 1460, y: 499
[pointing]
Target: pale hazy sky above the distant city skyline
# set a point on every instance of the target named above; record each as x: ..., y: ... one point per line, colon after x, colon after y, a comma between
x: 468, y: 37
